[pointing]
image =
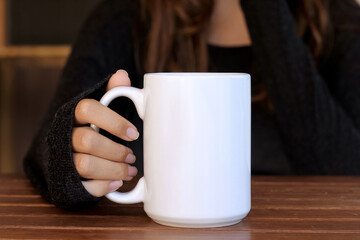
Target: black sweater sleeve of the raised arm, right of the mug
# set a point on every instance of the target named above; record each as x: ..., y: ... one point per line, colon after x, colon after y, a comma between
x: 318, y: 115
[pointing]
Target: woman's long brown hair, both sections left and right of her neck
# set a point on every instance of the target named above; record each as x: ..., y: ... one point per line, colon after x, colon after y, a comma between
x: 176, y: 38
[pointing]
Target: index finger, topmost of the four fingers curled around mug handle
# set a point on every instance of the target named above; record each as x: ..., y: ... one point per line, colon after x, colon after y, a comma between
x: 91, y: 111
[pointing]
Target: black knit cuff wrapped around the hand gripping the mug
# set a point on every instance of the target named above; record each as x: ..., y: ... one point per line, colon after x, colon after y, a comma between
x: 64, y: 183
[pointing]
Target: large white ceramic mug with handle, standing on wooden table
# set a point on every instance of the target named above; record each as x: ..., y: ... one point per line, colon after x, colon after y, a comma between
x: 196, y: 148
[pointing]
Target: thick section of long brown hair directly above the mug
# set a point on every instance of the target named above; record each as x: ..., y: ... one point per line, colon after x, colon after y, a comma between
x: 175, y: 39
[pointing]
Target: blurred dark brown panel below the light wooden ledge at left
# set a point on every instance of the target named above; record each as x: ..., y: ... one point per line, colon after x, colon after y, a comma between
x: 27, y: 86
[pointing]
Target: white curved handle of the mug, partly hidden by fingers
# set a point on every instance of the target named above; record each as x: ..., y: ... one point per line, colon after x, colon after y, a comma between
x: 137, y: 96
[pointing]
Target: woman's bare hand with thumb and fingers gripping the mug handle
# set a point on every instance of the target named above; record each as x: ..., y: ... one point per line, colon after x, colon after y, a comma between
x: 96, y: 157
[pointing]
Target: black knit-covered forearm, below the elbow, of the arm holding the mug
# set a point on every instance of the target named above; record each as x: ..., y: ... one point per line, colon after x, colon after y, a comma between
x: 49, y: 162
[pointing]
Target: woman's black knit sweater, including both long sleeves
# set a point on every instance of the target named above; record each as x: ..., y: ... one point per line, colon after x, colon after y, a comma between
x: 317, y: 110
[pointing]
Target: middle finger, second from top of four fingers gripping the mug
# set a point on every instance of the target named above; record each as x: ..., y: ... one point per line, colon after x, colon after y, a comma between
x: 86, y: 140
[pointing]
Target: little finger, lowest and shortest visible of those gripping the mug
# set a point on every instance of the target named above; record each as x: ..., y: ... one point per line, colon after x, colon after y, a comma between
x: 99, y: 188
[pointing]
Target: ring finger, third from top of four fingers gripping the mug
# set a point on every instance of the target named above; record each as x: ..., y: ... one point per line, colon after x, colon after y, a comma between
x: 92, y: 167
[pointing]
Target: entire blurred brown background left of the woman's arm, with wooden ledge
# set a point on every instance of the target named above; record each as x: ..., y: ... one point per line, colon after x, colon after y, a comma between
x: 35, y: 41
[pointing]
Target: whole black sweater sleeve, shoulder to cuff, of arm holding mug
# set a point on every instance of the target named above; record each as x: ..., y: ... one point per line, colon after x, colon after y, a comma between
x: 103, y: 46
